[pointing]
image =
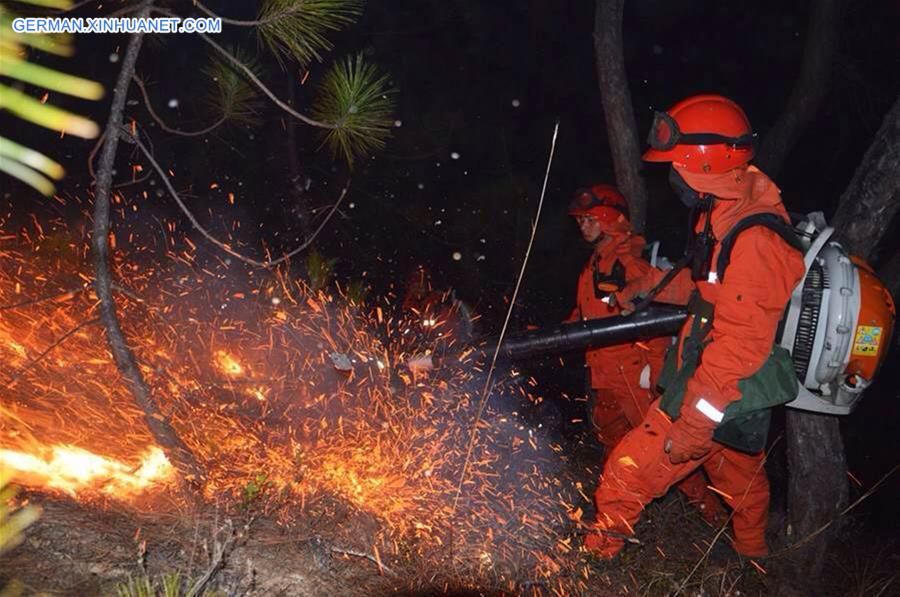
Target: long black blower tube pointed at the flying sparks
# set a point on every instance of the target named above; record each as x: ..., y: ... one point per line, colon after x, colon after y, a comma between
x: 654, y: 321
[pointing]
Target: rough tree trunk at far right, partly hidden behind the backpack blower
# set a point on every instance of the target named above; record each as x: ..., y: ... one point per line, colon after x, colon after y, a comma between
x: 818, y: 487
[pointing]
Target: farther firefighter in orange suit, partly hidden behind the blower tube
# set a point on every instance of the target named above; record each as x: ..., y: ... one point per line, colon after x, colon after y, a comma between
x: 621, y: 377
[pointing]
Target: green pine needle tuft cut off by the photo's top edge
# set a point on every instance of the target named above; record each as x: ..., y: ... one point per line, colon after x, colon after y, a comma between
x: 297, y: 28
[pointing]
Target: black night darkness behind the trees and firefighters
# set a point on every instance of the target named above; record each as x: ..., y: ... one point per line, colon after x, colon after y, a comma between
x: 487, y: 81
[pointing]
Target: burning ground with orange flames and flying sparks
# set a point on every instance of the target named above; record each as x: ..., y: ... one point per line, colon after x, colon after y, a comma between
x: 241, y: 370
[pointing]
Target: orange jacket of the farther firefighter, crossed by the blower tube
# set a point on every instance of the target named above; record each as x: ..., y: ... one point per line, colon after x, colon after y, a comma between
x: 619, y: 367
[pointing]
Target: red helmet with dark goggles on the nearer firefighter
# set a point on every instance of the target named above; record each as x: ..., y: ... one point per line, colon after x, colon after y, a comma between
x: 703, y: 134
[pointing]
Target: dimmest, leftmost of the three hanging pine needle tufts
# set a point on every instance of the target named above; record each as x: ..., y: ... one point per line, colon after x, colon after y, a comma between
x: 232, y: 95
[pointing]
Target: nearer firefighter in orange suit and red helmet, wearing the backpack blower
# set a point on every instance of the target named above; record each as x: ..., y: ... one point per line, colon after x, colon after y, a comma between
x: 705, y: 413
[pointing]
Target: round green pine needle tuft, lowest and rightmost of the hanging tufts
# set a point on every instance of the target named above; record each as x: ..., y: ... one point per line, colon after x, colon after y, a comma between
x: 358, y: 100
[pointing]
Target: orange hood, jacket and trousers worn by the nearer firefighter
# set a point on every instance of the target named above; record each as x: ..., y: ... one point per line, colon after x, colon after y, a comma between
x: 748, y: 304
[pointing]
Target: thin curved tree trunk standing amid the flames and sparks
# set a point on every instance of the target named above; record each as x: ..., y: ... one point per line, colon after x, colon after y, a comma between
x: 162, y: 432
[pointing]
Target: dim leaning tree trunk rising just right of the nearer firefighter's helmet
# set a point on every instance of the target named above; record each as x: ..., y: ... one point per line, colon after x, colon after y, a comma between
x: 809, y: 90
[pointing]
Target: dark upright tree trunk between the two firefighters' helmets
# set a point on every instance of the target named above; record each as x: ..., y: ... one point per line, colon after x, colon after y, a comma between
x: 620, y: 124
